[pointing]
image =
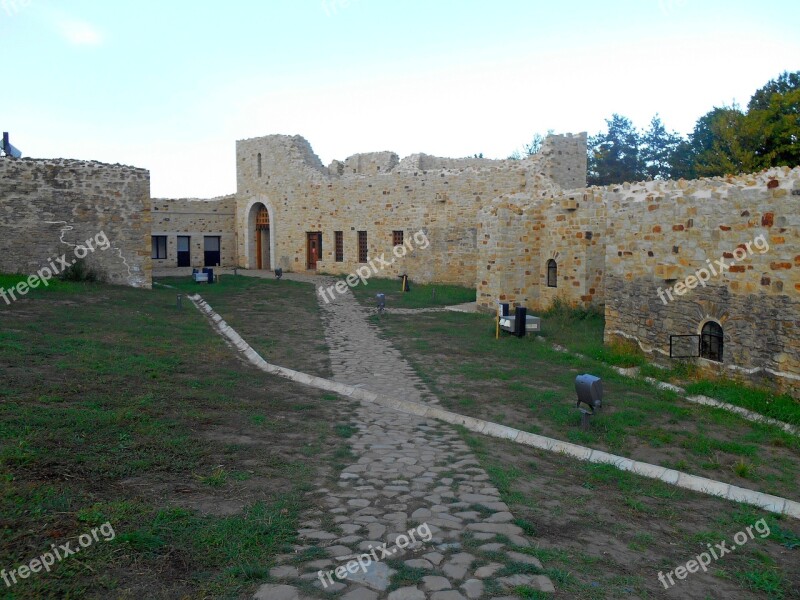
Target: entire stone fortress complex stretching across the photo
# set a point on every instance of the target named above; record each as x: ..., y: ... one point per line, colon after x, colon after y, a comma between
x: 706, y: 269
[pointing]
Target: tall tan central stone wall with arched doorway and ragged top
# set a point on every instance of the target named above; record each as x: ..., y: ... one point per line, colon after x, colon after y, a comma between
x: 378, y: 194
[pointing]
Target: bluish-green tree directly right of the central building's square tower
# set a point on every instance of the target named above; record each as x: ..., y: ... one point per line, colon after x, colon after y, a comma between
x: 614, y: 155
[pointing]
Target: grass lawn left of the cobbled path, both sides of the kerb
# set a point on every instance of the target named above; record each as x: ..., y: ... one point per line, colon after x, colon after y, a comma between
x: 117, y: 407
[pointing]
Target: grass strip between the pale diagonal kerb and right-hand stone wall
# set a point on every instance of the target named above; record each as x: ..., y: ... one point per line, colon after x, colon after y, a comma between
x: 526, y: 384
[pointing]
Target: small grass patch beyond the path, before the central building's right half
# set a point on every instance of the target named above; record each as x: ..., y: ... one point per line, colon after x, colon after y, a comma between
x: 420, y: 296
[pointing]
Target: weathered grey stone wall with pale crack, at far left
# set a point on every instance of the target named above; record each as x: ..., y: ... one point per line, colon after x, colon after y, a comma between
x: 48, y: 206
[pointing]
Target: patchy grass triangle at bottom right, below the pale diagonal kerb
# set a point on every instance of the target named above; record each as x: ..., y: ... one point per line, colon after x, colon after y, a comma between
x: 605, y: 534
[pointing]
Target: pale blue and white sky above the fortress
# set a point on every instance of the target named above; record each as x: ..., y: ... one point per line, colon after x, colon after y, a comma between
x: 171, y: 85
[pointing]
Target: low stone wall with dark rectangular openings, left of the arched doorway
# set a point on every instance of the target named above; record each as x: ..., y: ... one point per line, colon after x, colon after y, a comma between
x: 197, y: 219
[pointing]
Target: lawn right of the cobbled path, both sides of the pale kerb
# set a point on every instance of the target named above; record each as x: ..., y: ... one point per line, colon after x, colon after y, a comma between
x: 603, y: 533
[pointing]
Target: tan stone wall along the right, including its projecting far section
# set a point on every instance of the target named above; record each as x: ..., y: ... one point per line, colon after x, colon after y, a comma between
x: 647, y: 254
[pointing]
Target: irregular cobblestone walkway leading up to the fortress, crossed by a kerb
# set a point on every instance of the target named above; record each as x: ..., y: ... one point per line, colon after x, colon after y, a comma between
x: 415, y: 497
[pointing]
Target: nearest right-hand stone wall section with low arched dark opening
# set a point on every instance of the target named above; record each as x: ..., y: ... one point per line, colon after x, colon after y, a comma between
x: 667, y: 236
